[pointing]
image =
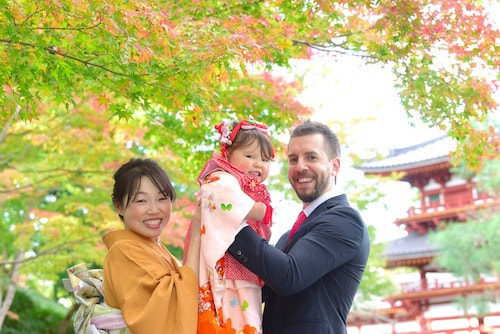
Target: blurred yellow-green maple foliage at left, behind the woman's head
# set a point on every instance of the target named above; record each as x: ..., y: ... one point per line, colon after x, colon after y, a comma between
x: 53, y: 195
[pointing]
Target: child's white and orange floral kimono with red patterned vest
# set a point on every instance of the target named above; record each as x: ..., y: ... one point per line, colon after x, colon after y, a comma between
x: 230, y: 298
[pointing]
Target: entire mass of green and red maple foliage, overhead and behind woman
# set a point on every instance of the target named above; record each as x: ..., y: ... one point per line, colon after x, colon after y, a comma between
x: 87, y: 84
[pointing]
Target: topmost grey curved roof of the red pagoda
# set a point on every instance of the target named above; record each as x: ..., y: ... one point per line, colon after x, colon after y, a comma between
x: 427, y: 153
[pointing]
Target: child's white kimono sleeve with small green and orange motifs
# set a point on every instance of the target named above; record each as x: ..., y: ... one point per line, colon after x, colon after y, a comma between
x: 224, y: 207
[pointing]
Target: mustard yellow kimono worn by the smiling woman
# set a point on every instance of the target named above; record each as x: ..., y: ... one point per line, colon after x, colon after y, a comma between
x: 154, y: 293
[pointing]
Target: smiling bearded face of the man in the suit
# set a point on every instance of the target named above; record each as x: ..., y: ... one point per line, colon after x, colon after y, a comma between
x: 310, y: 171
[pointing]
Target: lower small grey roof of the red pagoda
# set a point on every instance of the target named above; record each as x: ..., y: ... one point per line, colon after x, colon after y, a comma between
x: 409, y: 250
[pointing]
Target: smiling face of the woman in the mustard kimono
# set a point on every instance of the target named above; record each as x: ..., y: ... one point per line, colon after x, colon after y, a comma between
x: 148, y: 212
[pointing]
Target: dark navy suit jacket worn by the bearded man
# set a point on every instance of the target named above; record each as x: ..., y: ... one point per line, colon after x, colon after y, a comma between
x: 310, y: 280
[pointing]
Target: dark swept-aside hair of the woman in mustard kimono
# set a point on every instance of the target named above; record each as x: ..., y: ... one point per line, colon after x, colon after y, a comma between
x: 128, y: 180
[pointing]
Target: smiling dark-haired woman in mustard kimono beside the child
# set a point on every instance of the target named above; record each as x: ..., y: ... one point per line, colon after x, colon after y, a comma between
x: 153, y: 291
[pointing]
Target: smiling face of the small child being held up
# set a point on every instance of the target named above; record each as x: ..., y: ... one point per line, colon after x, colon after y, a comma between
x: 249, y: 160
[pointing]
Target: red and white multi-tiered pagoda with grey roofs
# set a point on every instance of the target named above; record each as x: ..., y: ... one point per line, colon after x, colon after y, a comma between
x: 428, y: 302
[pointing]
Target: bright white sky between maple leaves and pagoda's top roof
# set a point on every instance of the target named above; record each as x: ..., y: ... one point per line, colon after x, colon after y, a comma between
x: 348, y: 89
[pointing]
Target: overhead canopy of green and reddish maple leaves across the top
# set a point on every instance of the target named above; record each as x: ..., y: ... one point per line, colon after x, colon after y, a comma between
x: 182, y: 55
